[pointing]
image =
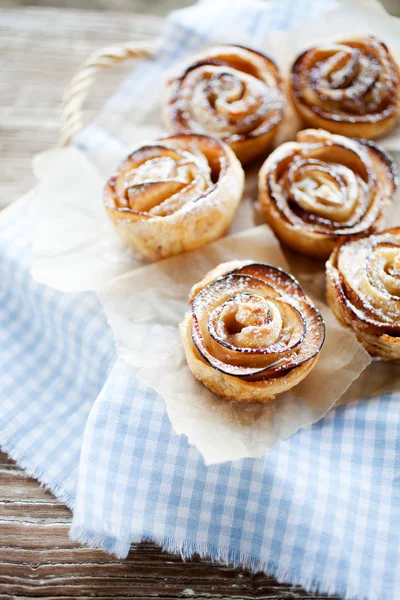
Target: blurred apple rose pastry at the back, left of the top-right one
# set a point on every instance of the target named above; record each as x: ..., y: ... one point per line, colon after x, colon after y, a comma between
x: 230, y: 92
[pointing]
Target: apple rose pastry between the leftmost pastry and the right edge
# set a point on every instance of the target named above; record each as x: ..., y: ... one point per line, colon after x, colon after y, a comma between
x: 323, y: 187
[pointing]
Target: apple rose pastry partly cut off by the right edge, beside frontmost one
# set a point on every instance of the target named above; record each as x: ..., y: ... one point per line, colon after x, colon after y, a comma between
x: 363, y: 290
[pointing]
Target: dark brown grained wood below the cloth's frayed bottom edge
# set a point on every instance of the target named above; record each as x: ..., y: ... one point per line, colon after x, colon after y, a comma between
x: 38, y: 560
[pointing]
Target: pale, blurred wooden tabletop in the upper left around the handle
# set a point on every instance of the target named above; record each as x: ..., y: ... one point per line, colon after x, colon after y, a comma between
x: 39, y: 51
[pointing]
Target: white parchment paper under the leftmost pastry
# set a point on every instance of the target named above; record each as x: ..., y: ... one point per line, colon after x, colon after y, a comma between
x: 74, y: 246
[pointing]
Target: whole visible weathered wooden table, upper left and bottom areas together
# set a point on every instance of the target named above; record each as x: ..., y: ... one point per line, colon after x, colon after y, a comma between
x: 39, y: 50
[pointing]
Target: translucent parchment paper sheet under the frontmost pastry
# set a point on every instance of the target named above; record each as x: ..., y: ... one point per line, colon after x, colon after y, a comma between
x: 144, y: 309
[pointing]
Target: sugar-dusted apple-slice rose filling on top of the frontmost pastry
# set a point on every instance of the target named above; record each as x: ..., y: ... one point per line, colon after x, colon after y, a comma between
x: 248, y: 326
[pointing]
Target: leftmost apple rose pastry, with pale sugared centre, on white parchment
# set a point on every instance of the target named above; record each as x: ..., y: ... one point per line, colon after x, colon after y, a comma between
x: 175, y: 194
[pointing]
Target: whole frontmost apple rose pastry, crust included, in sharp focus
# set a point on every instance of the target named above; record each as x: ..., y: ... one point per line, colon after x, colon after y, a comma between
x: 252, y: 333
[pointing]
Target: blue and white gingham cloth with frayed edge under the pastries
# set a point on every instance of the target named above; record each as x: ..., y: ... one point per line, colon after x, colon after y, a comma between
x: 321, y: 510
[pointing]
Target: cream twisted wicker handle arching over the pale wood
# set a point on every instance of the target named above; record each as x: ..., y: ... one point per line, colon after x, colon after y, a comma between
x: 78, y: 88
